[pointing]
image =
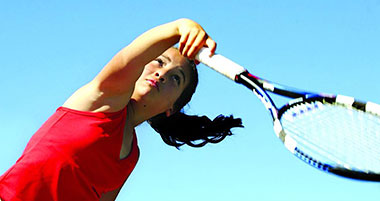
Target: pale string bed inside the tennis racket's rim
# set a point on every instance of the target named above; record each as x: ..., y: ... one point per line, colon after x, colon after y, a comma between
x: 334, y: 134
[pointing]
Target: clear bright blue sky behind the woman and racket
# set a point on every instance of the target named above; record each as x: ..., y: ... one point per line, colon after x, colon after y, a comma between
x: 50, y: 48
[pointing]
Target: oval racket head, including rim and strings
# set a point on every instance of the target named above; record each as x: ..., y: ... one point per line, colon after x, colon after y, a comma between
x: 335, y: 134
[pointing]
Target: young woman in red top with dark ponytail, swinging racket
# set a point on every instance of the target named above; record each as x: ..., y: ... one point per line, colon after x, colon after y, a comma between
x: 87, y: 149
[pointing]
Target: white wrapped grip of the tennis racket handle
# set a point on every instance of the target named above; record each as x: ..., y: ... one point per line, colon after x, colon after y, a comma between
x: 219, y: 63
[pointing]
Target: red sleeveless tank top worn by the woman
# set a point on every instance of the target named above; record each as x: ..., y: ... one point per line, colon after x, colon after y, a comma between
x: 75, y: 155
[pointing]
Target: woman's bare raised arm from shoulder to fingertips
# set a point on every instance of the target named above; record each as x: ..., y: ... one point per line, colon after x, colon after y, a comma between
x: 112, y: 88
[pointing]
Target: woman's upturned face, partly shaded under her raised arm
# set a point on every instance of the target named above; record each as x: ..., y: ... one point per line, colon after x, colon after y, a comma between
x: 162, y: 82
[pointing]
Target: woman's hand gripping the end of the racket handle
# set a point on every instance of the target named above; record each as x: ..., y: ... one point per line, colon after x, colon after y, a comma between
x: 192, y: 38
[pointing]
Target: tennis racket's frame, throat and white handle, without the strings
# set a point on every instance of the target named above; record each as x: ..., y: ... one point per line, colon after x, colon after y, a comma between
x: 260, y: 87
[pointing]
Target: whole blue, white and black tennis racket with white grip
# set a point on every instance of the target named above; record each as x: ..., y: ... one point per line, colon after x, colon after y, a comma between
x: 334, y: 133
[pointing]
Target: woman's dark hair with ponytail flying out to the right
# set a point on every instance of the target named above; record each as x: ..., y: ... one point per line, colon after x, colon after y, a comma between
x: 196, y: 131
